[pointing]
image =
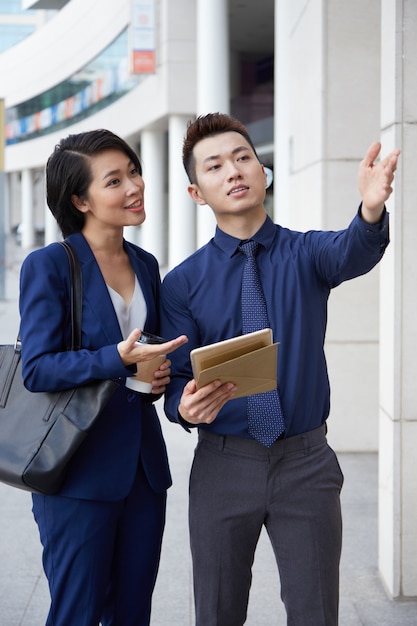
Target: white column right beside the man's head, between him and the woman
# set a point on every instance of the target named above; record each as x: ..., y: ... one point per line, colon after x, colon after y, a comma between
x: 182, y: 209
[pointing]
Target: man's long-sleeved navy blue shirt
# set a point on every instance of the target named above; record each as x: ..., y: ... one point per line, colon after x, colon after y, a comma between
x: 202, y: 299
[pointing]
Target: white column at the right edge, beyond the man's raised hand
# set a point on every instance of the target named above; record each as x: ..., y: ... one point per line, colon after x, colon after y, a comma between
x: 398, y: 330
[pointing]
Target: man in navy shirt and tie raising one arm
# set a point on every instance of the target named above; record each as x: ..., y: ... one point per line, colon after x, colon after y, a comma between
x: 291, y: 482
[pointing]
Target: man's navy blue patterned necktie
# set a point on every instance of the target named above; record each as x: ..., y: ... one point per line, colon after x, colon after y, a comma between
x: 265, y: 418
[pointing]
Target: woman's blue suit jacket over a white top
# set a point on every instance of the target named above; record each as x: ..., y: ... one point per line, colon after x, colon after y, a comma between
x: 128, y: 430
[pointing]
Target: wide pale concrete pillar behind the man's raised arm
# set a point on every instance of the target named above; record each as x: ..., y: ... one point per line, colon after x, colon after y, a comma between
x: 323, y: 51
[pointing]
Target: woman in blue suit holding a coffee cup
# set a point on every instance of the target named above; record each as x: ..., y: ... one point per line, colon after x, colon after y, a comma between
x: 102, y: 533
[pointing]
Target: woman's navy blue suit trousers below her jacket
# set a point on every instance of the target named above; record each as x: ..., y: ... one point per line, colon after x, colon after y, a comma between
x: 101, y: 558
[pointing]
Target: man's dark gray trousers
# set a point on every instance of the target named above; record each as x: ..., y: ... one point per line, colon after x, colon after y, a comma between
x: 237, y: 486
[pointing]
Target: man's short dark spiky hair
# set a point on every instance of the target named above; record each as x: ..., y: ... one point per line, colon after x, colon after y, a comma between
x: 208, y: 126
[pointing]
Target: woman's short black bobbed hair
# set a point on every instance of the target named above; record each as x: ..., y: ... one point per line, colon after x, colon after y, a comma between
x: 68, y: 173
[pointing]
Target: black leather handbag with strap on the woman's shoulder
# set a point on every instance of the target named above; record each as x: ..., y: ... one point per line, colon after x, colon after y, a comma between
x: 40, y: 431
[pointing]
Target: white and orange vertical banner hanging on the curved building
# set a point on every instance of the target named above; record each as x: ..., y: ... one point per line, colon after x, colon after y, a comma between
x: 143, y: 37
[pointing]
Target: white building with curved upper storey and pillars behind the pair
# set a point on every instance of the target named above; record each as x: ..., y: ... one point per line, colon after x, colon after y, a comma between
x: 315, y: 81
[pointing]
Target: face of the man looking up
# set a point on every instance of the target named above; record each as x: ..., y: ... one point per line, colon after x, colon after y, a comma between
x: 229, y: 177
